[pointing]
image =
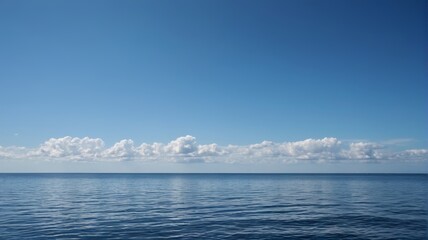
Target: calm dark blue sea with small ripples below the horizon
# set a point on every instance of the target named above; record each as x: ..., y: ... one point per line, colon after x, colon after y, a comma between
x: 212, y: 206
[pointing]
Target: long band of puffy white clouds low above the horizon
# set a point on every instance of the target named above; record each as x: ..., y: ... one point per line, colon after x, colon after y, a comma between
x: 186, y: 149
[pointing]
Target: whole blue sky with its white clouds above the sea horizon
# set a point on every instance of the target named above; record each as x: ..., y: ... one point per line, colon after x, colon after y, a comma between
x: 213, y: 86
